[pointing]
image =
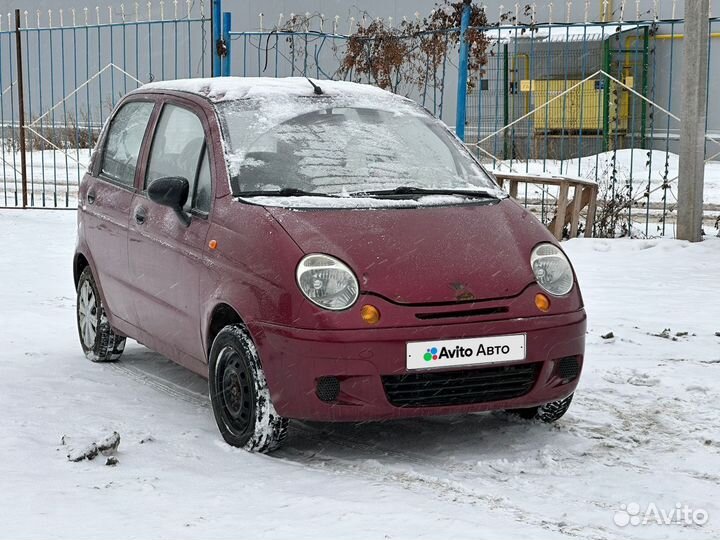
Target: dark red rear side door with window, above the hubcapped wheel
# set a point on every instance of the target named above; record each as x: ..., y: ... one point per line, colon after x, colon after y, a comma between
x: 105, y: 199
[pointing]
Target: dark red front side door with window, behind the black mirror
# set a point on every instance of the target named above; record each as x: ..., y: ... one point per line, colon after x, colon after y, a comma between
x: 166, y: 255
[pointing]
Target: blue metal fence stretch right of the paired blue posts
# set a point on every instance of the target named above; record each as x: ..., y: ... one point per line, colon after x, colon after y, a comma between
x: 590, y: 100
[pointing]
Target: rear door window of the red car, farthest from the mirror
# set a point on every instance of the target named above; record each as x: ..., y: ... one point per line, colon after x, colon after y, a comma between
x: 124, y: 139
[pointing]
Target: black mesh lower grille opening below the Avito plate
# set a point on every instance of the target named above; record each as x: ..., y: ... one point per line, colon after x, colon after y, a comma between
x: 464, y: 387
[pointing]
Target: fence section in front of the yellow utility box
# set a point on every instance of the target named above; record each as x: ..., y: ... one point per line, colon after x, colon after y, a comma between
x: 599, y: 101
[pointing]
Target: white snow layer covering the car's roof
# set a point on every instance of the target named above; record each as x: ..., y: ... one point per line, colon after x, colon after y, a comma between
x: 232, y: 88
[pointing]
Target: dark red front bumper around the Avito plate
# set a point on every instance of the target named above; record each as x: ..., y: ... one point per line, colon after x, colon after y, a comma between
x: 368, y: 362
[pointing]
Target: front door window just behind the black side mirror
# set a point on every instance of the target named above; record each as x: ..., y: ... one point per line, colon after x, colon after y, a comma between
x: 177, y: 147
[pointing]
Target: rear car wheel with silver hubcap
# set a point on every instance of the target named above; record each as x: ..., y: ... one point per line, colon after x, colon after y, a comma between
x: 97, y: 338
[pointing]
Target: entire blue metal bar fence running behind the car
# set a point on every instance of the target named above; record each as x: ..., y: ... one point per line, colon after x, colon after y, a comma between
x: 592, y: 100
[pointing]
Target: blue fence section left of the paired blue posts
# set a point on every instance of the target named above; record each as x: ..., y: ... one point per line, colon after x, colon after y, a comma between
x: 75, y: 65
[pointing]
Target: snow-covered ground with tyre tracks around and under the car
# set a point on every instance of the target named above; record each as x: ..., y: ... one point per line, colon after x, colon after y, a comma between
x: 644, y: 428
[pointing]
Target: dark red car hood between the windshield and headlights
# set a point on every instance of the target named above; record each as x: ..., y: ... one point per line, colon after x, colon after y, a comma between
x: 424, y: 255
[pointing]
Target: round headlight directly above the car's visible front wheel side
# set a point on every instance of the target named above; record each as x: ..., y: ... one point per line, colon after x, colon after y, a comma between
x: 327, y: 282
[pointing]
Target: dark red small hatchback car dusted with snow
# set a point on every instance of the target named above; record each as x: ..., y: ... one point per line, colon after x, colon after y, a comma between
x: 319, y: 250
